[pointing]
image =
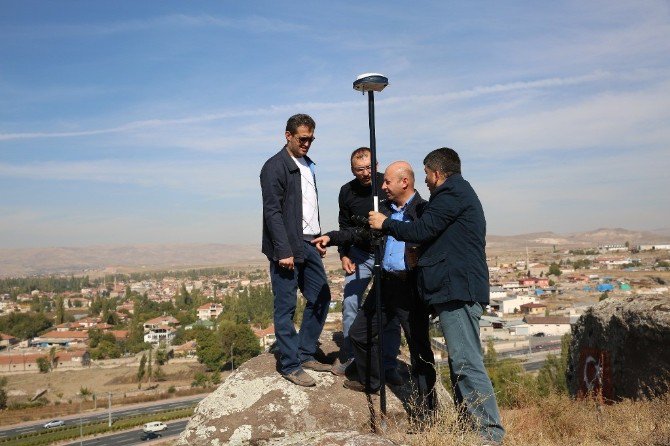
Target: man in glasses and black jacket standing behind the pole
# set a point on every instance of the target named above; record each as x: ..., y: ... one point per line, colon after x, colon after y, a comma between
x: 355, y: 201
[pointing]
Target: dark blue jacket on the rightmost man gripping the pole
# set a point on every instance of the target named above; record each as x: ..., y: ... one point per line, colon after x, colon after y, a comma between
x: 452, y: 233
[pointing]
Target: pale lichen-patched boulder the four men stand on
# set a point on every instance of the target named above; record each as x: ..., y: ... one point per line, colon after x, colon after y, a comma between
x: 255, y: 405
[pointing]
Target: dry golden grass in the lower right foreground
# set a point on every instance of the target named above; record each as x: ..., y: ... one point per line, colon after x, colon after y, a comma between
x: 558, y: 420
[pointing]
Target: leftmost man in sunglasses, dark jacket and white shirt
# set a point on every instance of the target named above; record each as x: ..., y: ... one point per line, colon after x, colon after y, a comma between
x: 290, y: 223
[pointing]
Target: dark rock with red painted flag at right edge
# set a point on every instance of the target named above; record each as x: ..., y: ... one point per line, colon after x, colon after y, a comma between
x: 621, y: 349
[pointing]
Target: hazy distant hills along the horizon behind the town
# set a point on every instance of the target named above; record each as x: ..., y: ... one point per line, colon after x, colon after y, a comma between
x: 97, y: 260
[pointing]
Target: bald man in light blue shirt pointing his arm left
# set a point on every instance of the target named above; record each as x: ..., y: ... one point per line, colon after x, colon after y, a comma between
x: 398, y: 288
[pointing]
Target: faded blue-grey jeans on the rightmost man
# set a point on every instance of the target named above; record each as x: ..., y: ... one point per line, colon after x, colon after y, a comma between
x: 473, y: 392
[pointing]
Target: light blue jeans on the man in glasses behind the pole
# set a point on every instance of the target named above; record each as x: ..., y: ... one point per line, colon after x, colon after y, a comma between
x: 354, y: 288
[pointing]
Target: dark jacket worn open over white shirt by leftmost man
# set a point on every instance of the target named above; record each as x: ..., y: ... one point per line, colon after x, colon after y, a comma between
x: 282, y: 207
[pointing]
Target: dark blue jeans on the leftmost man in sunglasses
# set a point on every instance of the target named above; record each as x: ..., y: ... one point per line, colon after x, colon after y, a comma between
x: 310, y: 278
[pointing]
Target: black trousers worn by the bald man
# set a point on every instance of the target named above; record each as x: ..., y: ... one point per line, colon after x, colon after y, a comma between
x: 399, y: 298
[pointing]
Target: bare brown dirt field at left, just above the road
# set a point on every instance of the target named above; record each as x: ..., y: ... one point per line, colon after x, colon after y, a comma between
x: 65, y: 385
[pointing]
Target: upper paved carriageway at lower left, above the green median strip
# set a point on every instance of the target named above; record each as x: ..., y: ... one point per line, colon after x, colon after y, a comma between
x: 143, y: 409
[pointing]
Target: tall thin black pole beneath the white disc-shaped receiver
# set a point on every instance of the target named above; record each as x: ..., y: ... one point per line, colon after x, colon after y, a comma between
x: 377, y: 266
